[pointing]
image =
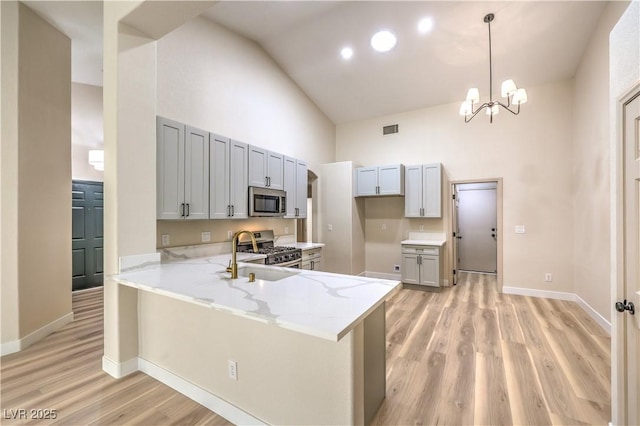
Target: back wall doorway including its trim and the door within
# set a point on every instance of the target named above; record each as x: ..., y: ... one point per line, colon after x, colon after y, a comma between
x: 476, y: 224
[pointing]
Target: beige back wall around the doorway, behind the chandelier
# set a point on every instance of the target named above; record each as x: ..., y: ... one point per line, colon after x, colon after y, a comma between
x: 532, y: 152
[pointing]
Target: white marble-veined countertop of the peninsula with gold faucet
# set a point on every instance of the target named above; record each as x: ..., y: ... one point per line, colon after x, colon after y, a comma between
x: 316, y: 303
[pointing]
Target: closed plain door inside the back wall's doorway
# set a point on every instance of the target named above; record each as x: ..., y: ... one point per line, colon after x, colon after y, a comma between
x: 477, y: 227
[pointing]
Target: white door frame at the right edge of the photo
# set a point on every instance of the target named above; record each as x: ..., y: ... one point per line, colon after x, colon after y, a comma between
x: 620, y: 380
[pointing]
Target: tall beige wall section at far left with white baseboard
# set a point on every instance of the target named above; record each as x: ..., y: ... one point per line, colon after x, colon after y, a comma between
x: 36, y: 177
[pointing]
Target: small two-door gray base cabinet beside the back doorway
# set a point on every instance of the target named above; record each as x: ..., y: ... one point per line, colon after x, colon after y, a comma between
x: 421, y: 265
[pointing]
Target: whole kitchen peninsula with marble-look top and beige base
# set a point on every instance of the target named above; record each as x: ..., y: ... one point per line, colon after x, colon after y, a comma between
x: 293, y: 347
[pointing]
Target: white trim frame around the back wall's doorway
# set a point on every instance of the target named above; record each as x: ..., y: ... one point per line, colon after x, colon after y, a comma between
x: 453, y: 255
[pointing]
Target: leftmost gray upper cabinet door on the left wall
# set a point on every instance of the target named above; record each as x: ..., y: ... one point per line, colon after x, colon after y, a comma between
x: 169, y: 169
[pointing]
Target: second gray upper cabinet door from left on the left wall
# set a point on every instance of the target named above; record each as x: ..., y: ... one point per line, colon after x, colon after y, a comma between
x: 196, y: 183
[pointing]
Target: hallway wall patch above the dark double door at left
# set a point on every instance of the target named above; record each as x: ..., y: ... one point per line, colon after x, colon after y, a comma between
x: 86, y: 130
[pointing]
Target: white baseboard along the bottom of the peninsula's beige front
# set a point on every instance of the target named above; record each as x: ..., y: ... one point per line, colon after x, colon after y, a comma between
x: 203, y: 397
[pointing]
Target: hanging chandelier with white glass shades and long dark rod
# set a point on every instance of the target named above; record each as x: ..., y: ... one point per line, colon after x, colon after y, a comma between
x: 515, y: 97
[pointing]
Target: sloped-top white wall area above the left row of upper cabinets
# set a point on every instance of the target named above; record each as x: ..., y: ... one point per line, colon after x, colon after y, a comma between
x: 216, y: 80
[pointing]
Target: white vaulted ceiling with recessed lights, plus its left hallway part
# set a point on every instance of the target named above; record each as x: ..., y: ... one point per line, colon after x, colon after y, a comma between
x: 534, y: 42
